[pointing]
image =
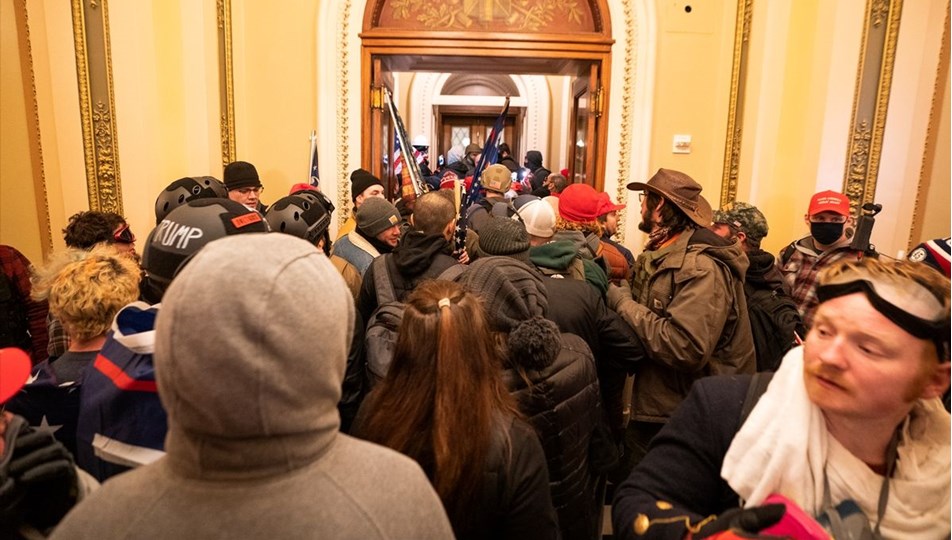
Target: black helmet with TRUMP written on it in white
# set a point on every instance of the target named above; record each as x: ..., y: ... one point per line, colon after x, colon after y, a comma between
x: 187, y: 229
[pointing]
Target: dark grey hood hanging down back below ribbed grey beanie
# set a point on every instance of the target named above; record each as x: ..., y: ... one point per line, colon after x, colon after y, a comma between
x: 510, y: 290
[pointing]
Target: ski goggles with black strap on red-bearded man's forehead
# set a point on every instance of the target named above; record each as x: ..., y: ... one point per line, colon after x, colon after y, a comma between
x: 908, y: 304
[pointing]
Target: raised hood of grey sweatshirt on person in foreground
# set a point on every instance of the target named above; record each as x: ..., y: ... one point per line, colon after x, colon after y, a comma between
x: 251, y: 344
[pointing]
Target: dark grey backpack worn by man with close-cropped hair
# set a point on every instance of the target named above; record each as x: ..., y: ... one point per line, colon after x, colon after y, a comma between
x: 380, y: 341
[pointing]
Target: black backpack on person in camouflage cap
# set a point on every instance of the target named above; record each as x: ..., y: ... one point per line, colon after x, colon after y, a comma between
x: 774, y: 323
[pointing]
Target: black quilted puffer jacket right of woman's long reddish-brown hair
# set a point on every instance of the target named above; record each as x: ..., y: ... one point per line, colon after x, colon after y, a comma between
x: 557, y: 389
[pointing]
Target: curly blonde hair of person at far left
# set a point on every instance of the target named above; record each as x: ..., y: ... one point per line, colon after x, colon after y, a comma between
x: 86, y: 294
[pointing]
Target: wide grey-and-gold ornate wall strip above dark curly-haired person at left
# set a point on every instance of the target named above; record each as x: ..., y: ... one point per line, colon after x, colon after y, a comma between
x: 97, y: 104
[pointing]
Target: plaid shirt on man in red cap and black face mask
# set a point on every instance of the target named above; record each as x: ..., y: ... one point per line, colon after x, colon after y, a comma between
x: 801, y: 270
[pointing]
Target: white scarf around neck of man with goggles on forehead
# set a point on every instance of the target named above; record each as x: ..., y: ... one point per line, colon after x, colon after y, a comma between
x: 784, y: 446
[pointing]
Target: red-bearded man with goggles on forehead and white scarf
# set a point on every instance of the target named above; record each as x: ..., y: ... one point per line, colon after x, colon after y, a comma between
x: 850, y: 429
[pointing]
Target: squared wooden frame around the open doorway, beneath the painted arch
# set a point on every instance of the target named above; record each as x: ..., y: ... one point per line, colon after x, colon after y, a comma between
x: 377, y: 43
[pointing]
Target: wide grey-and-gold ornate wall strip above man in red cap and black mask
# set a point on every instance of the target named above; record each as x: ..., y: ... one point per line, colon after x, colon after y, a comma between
x: 871, y: 100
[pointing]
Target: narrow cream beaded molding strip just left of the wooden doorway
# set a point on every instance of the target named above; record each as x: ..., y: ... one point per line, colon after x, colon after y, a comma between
x: 343, y: 115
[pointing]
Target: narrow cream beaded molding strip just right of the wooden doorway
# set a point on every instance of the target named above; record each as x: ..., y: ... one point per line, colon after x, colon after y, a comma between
x: 627, y: 84
